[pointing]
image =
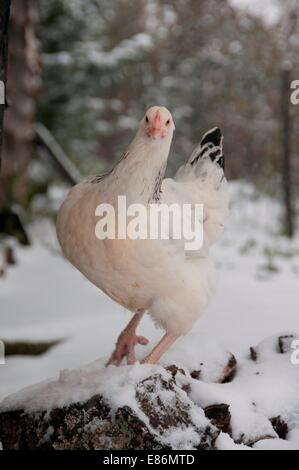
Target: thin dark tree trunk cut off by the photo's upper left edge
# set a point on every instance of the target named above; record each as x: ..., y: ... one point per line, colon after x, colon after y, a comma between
x: 4, y: 20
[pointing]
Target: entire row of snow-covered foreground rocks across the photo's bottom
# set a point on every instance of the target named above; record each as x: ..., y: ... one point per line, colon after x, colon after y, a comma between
x: 170, y: 407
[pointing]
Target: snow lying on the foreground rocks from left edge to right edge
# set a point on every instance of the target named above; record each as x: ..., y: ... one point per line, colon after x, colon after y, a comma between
x: 263, y: 389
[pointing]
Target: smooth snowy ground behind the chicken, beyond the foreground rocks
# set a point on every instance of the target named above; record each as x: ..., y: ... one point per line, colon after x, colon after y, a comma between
x: 44, y: 297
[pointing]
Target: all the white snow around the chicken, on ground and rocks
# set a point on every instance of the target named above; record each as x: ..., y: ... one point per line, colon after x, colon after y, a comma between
x: 44, y: 298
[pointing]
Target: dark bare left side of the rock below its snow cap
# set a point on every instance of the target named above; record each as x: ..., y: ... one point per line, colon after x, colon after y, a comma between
x: 78, y: 427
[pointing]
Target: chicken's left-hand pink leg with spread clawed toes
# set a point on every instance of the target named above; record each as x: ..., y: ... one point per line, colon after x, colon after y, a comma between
x: 127, y: 341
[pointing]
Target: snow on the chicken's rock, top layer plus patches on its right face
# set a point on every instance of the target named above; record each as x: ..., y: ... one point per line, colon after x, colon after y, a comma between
x: 118, y: 388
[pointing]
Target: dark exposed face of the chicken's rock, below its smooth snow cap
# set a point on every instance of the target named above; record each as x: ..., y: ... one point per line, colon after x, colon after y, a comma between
x: 163, y: 408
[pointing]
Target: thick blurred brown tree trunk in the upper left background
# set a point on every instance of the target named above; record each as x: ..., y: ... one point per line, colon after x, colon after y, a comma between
x: 22, y: 88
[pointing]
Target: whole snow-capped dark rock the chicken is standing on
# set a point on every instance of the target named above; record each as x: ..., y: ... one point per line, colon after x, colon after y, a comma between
x: 137, y: 407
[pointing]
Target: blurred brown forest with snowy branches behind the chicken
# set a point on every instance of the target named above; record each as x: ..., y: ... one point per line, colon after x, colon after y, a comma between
x: 82, y: 72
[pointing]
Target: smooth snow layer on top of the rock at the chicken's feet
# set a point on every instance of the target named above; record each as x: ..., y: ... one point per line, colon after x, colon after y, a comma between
x: 78, y: 385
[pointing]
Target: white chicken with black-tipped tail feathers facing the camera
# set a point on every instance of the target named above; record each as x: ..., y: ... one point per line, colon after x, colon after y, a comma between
x: 154, y: 276
